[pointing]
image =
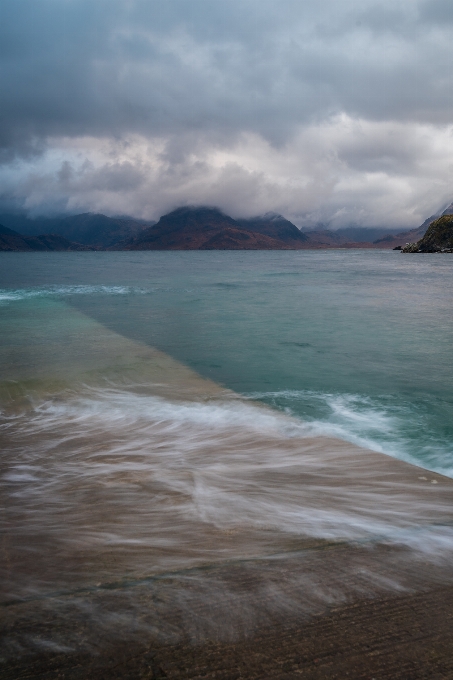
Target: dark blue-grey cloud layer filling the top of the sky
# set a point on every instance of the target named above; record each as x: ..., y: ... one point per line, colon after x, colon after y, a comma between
x: 78, y: 67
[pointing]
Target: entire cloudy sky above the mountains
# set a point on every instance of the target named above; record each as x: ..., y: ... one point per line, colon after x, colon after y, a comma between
x: 337, y: 112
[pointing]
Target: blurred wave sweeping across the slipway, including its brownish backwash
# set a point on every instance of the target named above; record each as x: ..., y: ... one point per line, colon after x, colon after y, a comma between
x: 152, y: 483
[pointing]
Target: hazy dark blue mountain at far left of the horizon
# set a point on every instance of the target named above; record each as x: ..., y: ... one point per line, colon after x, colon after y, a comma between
x: 91, y: 229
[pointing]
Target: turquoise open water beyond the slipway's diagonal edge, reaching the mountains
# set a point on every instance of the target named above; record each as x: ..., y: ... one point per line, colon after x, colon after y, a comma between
x: 357, y: 343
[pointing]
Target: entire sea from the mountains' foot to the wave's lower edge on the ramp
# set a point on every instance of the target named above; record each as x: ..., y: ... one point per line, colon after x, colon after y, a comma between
x: 167, y: 411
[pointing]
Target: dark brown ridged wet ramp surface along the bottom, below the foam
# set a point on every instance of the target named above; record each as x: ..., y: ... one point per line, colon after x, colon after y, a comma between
x: 366, y: 633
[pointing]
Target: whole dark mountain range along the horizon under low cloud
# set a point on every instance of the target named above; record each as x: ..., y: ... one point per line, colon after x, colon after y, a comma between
x: 189, y: 228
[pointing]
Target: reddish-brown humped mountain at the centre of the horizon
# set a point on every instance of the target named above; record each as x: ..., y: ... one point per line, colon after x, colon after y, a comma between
x: 205, y: 228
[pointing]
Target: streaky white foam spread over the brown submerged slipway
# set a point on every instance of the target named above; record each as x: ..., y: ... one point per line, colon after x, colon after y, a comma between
x: 230, y: 465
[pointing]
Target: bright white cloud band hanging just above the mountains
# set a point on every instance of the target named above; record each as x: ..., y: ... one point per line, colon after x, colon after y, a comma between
x: 339, y: 172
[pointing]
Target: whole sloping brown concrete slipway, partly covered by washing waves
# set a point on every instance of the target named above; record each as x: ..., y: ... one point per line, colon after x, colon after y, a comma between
x: 228, y: 585
